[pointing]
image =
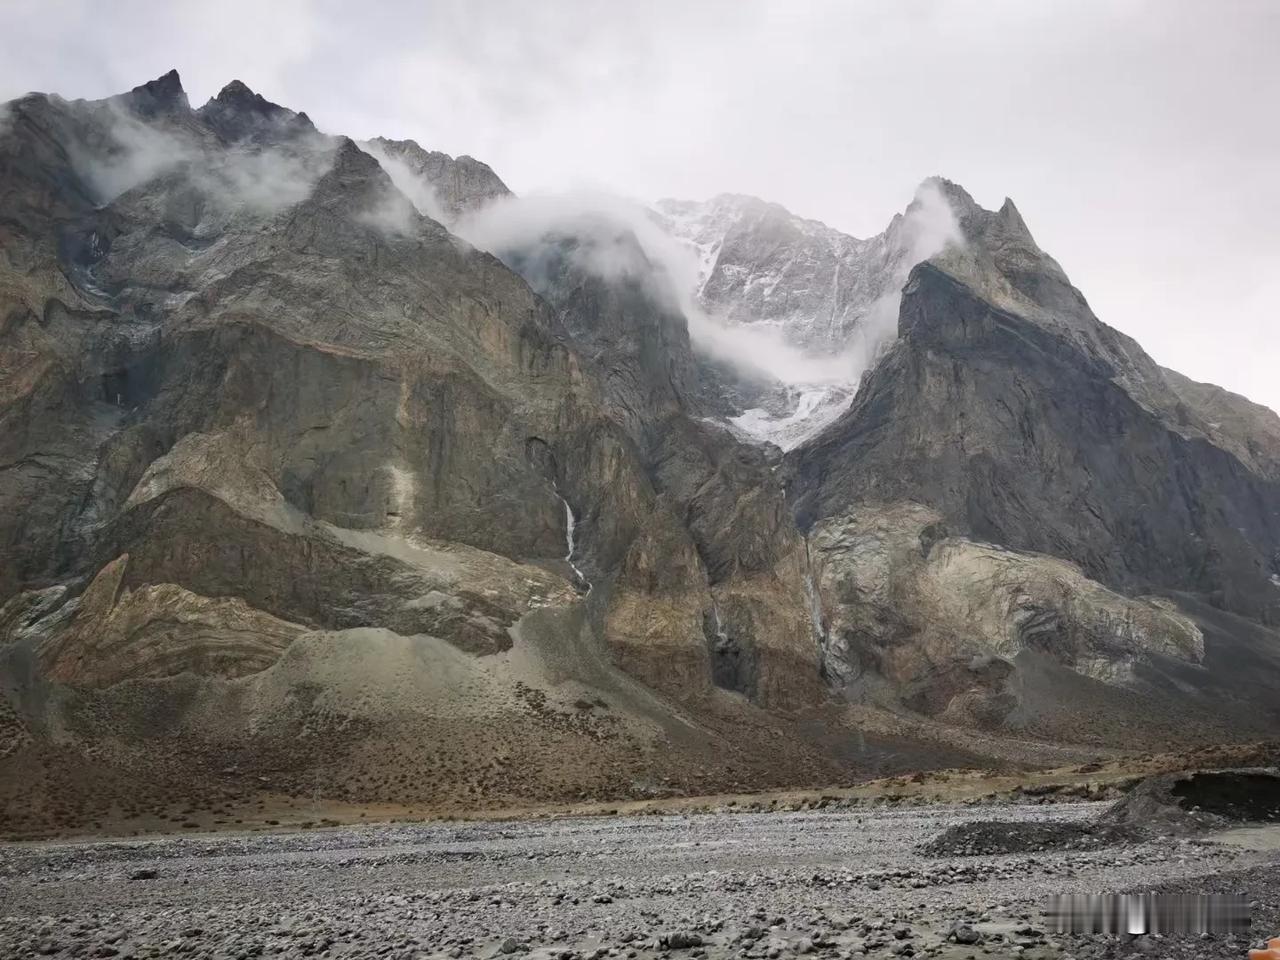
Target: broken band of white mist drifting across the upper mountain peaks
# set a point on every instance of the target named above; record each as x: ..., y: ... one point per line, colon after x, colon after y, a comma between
x: 611, y: 237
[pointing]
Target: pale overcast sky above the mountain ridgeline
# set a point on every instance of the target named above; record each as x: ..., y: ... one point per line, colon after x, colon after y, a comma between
x: 1140, y: 139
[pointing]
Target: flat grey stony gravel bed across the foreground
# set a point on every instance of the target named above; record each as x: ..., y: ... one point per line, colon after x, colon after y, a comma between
x: 765, y: 886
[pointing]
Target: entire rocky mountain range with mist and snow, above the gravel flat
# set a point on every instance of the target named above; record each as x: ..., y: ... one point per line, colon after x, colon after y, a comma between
x: 335, y: 469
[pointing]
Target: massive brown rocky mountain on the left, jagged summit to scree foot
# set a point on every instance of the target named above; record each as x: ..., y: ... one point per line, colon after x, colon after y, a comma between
x: 292, y: 478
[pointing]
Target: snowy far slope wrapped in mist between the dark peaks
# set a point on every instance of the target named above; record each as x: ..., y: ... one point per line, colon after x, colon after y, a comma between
x: 784, y: 285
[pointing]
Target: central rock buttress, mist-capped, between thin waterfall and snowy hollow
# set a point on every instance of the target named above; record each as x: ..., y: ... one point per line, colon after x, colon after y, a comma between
x: 719, y: 556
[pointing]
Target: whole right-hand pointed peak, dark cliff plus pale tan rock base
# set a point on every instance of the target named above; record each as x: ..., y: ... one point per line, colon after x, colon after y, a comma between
x: 1007, y: 414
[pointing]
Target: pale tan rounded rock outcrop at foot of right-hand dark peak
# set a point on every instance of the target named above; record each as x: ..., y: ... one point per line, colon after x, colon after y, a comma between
x: 972, y: 634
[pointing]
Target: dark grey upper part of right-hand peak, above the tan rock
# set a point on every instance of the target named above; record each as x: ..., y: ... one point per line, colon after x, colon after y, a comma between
x: 1025, y: 422
